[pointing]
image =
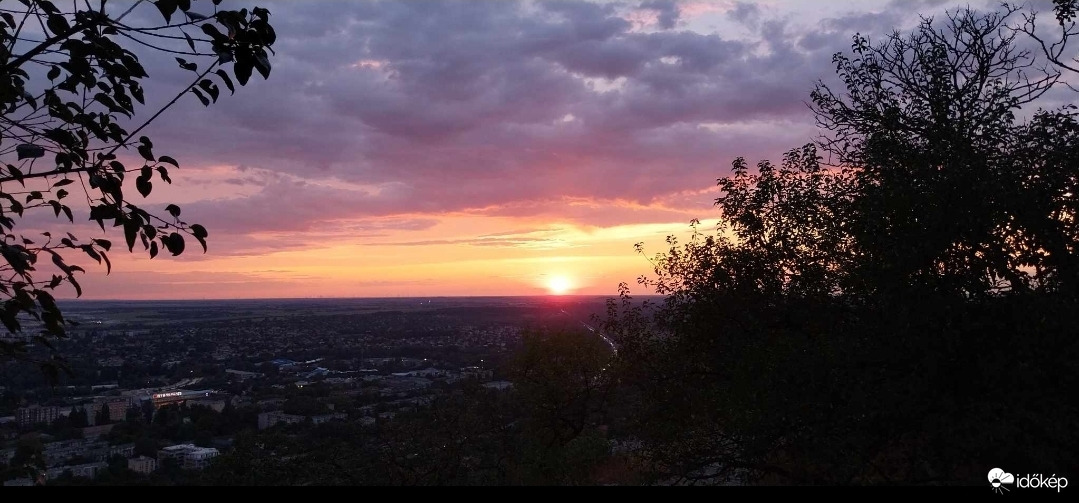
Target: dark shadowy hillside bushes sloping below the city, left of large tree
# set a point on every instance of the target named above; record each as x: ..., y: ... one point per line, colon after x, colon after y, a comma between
x: 545, y: 430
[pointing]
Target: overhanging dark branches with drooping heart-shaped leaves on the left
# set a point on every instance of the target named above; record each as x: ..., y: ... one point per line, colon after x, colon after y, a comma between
x: 73, y: 100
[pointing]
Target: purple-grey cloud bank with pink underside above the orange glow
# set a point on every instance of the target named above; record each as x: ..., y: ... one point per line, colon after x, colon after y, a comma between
x: 406, y: 108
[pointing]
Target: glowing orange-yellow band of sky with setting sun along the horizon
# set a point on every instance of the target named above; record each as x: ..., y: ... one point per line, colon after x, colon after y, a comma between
x: 460, y: 255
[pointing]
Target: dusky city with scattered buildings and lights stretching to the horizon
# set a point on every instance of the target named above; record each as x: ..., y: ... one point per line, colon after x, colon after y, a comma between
x: 159, y: 390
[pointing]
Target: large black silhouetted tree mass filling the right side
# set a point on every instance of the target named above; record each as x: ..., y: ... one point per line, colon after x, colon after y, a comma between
x: 877, y: 315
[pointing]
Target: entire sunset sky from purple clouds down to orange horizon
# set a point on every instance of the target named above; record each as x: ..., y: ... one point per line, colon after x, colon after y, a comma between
x: 479, y: 148
